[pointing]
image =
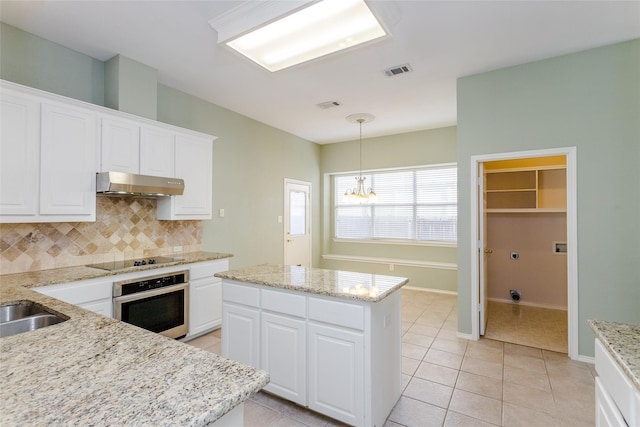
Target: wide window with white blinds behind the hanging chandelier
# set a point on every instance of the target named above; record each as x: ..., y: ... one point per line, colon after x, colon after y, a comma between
x: 413, y: 204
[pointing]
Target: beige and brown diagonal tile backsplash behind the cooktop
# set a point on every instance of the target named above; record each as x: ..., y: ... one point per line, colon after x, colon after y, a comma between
x: 125, y: 228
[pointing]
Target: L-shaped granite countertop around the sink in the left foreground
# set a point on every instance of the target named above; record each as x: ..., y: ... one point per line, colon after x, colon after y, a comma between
x: 94, y: 370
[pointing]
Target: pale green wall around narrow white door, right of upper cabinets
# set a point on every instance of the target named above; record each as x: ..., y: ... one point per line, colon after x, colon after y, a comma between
x: 250, y: 162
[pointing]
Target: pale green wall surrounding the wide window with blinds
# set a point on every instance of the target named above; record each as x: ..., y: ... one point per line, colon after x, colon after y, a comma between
x: 403, y: 150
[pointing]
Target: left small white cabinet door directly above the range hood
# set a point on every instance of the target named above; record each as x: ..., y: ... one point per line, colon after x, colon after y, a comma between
x: 120, y: 146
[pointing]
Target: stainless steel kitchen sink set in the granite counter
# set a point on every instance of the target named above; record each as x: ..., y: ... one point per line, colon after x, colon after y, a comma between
x: 25, y: 316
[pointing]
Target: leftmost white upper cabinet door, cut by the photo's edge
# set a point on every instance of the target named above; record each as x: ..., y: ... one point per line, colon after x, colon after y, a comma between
x: 19, y: 154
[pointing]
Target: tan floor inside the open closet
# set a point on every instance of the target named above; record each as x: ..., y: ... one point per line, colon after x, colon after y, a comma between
x: 530, y: 326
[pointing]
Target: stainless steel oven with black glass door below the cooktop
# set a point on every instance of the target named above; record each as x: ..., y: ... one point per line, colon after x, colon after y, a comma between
x: 157, y: 303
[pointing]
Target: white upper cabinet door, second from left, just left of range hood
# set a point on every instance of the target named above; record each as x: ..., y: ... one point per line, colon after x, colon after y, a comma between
x: 67, y: 163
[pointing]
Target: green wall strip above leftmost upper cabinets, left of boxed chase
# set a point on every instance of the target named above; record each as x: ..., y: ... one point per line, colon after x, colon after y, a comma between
x: 36, y: 62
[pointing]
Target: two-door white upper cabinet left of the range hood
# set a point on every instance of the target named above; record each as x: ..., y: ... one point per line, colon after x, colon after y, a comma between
x: 48, y: 158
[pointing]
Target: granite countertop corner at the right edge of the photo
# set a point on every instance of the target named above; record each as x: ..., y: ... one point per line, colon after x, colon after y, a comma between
x: 623, y: 343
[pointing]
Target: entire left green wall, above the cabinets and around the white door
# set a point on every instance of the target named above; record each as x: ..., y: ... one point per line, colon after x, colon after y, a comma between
x: 251, y: 159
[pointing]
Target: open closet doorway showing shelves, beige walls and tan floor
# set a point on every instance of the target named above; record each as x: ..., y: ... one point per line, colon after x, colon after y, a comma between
x: 525, y: 201
